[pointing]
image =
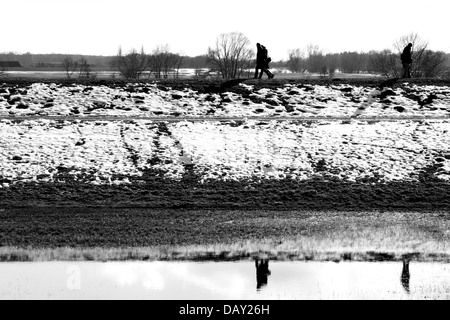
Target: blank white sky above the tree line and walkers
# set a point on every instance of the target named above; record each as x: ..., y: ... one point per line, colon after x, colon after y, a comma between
x: 189, y: 27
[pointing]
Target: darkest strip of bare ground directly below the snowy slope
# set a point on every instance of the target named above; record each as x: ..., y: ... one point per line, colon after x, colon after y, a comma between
x: 160, y: 193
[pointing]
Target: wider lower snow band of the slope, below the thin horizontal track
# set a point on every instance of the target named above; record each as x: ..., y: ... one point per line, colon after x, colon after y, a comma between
x: 33, y: 150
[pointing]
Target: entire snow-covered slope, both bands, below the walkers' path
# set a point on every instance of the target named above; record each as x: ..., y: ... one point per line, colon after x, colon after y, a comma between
x: 117, y: 151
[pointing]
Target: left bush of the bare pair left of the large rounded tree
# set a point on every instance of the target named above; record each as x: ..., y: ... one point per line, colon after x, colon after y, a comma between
x: 132, y: 65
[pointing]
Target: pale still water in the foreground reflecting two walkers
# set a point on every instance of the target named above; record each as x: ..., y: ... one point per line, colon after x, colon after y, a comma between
x: 242, y: 280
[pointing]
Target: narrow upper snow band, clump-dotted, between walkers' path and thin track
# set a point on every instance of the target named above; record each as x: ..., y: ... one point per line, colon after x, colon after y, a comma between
x: 149, y: 100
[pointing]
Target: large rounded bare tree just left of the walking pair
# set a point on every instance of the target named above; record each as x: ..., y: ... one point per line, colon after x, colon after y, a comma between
x: 231, y: 55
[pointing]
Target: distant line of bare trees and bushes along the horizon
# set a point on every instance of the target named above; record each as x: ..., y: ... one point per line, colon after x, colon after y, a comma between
x: 232, y: 57
